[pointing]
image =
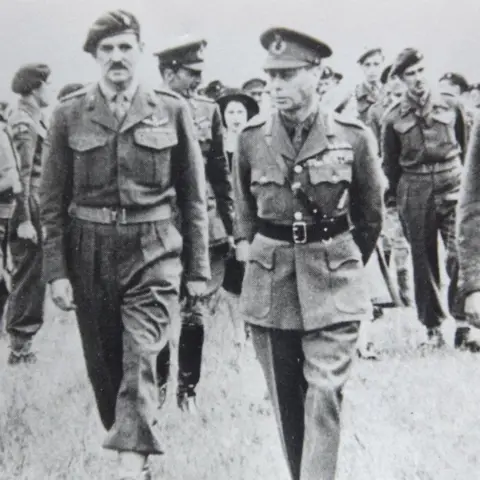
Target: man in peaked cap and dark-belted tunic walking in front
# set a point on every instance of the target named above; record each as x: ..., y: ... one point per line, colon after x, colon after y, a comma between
x: 309, y: 211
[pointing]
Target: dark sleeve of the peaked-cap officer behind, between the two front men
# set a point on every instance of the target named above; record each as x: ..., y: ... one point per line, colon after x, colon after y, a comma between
x: 218, y: 174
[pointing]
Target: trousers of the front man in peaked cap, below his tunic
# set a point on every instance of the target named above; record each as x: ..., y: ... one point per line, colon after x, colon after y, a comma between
x: 305, y: 374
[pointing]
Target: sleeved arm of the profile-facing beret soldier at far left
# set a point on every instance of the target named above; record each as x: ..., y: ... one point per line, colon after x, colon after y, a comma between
x: 24, y: 138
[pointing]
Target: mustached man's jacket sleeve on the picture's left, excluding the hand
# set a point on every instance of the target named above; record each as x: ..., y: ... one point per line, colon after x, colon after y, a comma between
x: 55, y: 196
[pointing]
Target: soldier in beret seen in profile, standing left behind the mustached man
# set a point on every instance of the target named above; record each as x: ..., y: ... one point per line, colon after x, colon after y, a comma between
x: 25, y: 308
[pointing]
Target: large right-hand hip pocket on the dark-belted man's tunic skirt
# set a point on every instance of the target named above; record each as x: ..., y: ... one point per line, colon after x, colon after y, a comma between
x: 347, y: 285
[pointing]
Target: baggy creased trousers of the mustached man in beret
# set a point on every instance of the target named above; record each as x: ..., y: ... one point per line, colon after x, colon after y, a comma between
x: 126, y: 281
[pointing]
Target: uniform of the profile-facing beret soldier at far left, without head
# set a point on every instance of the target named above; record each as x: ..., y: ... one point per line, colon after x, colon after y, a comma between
x: 24, y: 315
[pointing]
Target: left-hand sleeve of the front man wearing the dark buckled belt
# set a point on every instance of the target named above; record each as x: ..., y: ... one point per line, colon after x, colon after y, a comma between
x: 245, y: 204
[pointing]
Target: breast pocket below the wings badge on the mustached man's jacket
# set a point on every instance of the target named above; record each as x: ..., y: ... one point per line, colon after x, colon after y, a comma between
x: 152, y: 159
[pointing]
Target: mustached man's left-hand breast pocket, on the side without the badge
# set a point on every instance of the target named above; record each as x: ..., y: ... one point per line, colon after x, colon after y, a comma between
x: 89, y: 159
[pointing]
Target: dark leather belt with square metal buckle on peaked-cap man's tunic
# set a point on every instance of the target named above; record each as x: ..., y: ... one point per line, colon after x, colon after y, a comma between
x: 300, y: 232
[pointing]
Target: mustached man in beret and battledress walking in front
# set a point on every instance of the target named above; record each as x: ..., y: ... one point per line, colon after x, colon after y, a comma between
x: 116, y: 157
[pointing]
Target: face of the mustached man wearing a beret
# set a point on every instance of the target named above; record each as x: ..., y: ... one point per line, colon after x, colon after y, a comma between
x: 118, y: 57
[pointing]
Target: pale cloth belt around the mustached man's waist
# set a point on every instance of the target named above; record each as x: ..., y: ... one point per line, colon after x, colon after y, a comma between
x: 120, y: 216
